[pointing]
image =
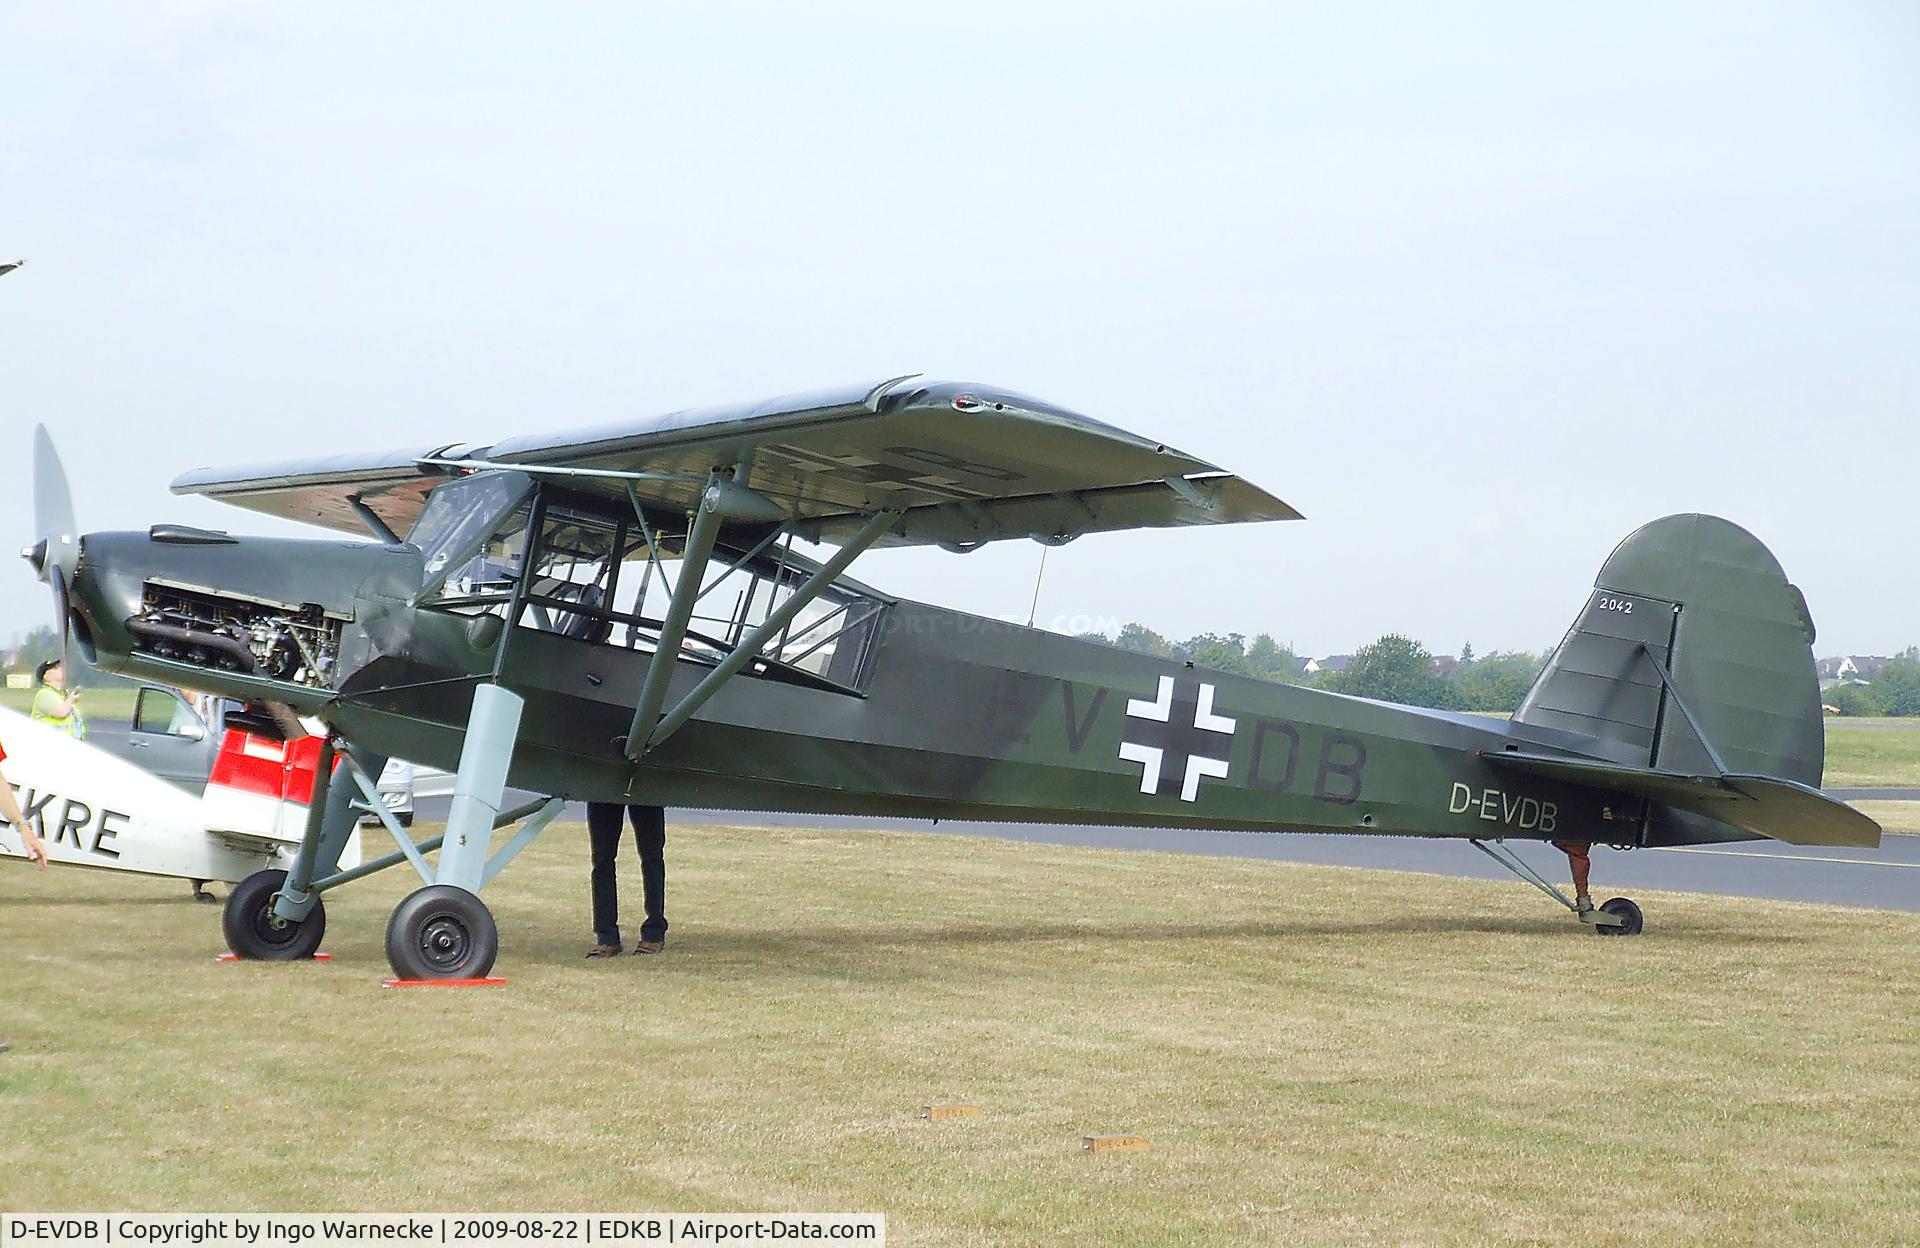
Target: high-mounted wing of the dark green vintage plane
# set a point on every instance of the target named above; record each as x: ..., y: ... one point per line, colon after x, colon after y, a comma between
x: 963, y: 464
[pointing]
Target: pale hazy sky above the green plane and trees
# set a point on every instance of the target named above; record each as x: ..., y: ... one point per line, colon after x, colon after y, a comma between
x: 1479, y: 289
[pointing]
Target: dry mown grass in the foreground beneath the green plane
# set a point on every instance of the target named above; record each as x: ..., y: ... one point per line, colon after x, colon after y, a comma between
x: 1320, y: 1057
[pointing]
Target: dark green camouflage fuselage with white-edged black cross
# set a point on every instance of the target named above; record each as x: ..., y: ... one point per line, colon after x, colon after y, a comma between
x: 965, y: 717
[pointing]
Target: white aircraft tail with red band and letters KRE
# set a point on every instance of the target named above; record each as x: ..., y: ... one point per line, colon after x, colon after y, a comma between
x: 93, y: 809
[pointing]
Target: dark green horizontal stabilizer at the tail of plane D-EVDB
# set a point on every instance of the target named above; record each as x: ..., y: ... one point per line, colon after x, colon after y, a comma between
x: 1779, y: 809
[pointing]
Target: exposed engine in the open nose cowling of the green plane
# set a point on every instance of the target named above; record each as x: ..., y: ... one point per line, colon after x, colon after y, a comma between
x: 235, y: 635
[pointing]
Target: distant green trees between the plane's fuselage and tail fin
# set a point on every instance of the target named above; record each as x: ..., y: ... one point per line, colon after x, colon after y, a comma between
x: 1395, y: 669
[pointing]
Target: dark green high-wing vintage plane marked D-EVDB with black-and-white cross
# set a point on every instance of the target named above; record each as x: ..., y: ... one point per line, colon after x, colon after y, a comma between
x: 621, y: 613
